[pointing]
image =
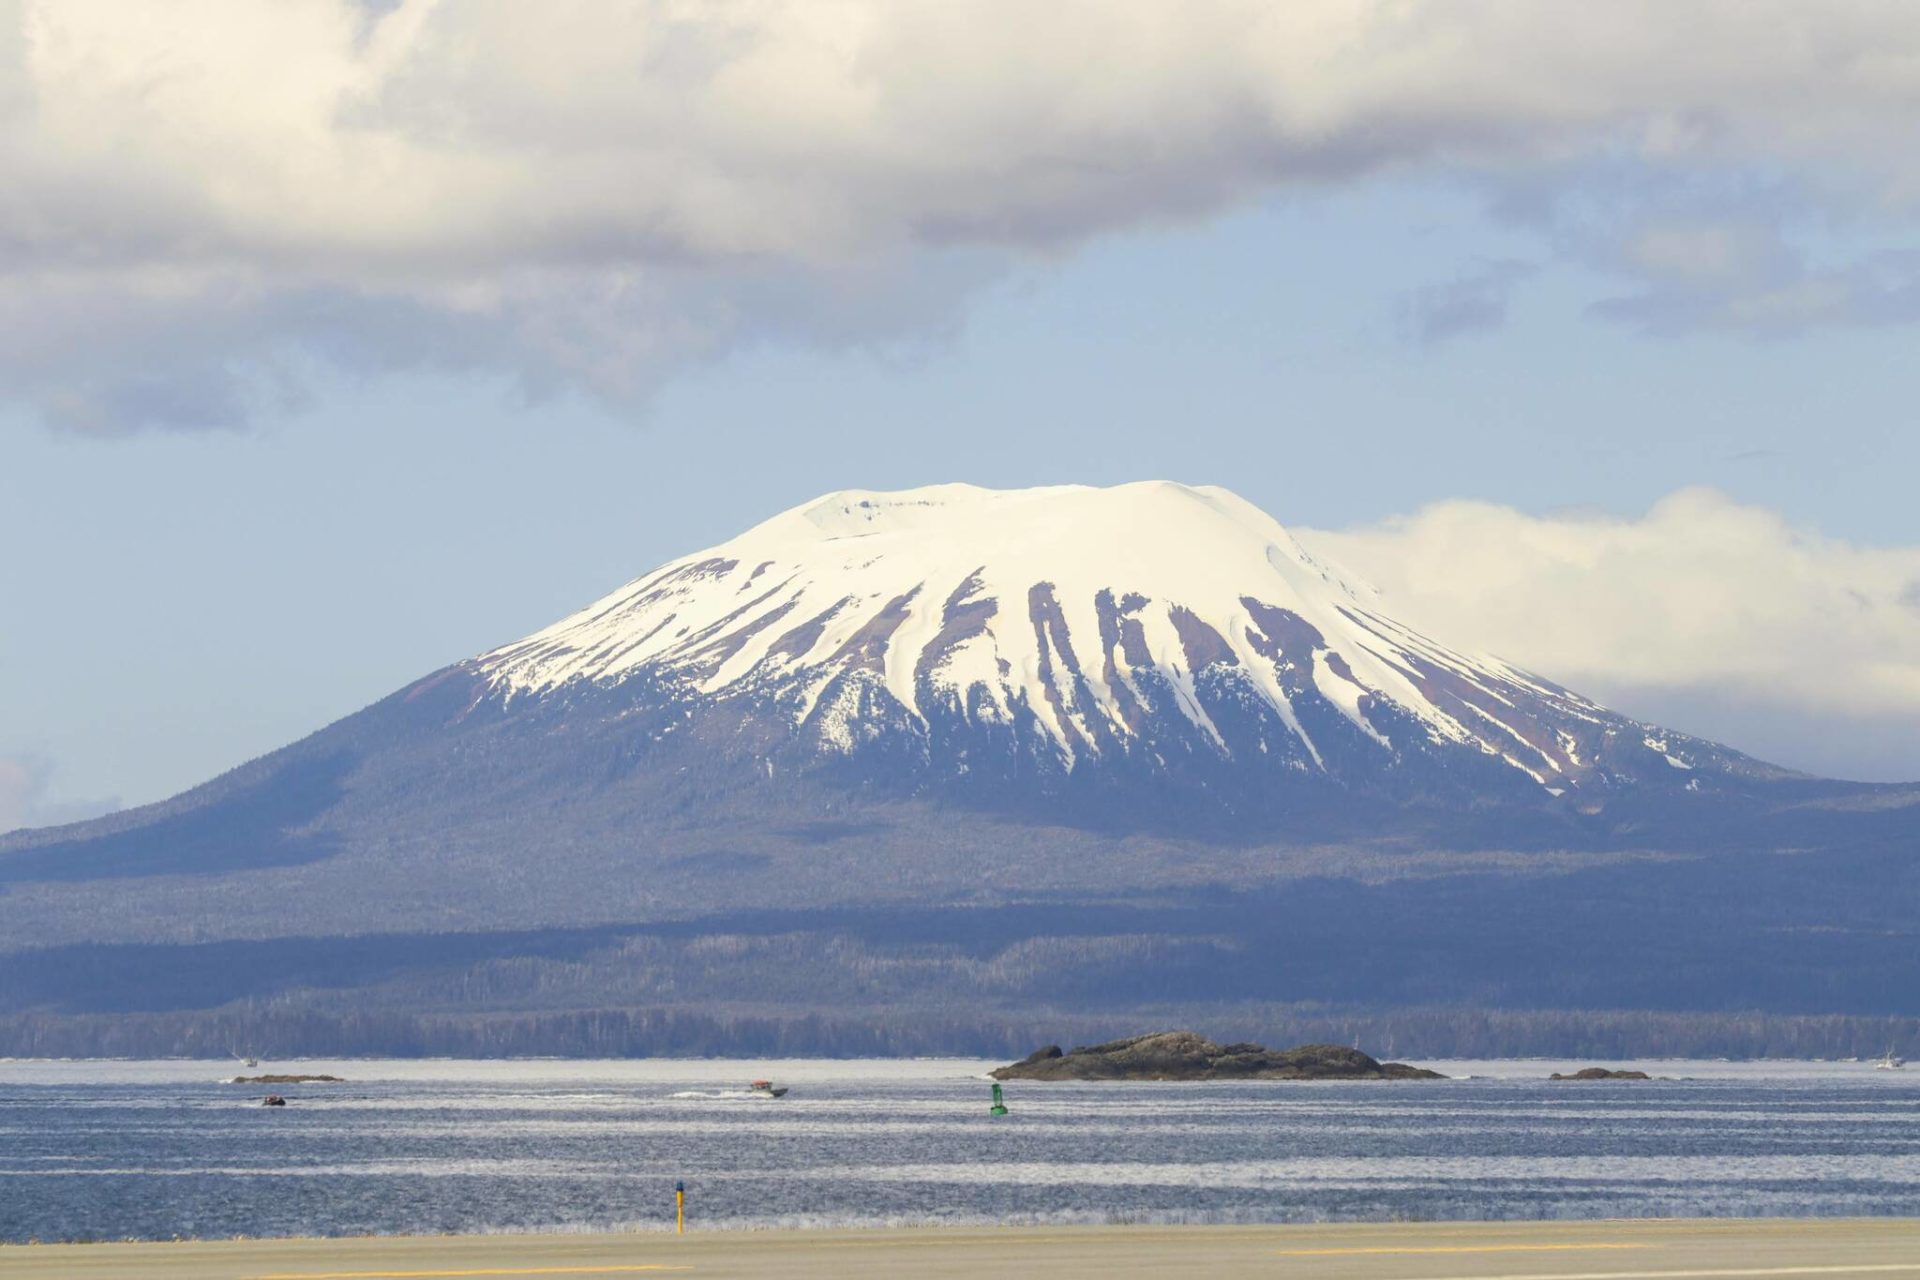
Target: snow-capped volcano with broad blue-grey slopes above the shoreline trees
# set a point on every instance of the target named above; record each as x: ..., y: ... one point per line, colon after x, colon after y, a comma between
x: 1080, y: 747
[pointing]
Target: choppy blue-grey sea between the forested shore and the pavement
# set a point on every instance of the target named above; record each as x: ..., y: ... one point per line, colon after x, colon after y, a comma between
x: 108, y: 1150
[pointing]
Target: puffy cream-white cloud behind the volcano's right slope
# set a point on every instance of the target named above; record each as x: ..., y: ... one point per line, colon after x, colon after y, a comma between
x: 1714, y: 615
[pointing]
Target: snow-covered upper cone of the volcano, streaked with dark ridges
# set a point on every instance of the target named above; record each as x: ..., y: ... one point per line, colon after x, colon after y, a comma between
x: 1076, y: 630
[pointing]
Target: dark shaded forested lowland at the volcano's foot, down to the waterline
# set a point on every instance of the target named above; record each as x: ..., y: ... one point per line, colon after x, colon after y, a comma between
x: 1620, y: 959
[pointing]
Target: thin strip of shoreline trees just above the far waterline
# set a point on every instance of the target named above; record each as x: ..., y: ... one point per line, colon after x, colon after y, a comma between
x: 279, y: 1033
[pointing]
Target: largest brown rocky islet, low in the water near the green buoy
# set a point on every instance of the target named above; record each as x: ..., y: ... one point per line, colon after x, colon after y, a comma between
x: 1188, y: 1056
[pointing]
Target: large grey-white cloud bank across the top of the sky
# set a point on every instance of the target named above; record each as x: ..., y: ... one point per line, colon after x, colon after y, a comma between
x: 208, y: 197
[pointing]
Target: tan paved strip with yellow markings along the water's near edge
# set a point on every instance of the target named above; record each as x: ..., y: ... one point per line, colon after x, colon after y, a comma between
x: 1633, y: 1250
